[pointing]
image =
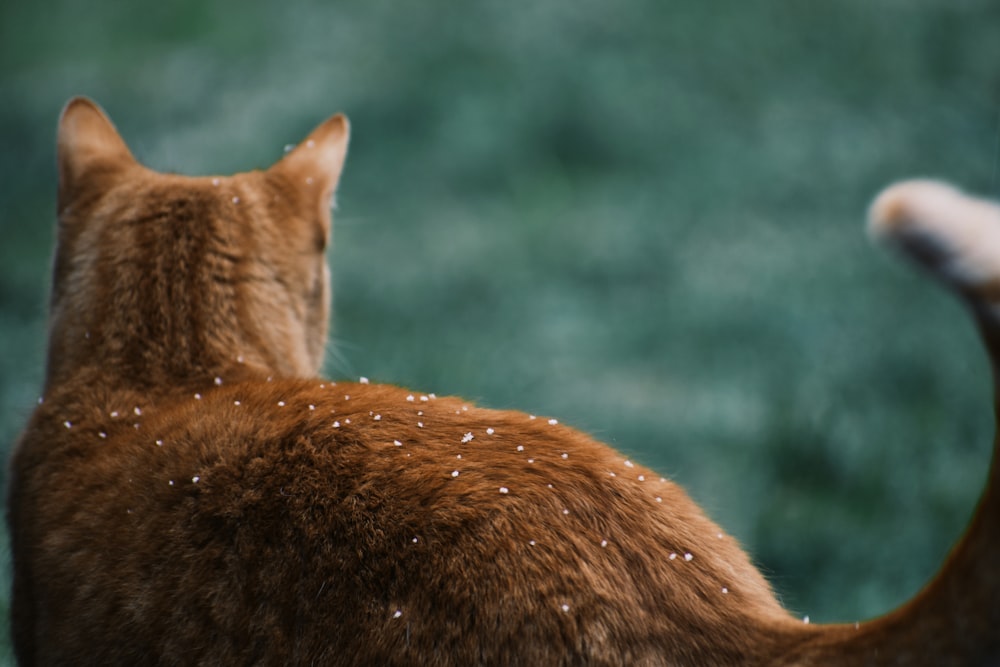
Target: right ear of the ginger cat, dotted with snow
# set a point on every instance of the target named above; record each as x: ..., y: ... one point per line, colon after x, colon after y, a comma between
x: 319, y: 159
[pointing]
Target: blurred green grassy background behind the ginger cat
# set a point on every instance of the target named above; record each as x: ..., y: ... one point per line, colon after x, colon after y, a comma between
x: 644, y: 217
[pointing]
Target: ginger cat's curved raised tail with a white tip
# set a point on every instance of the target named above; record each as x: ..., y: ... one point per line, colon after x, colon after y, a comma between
x: 955, y: 619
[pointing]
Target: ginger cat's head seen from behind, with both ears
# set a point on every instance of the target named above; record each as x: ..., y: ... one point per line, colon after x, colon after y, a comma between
x: 165, y: 275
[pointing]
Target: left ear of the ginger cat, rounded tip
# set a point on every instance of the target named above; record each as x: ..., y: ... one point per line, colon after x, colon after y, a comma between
x: 87, y: 145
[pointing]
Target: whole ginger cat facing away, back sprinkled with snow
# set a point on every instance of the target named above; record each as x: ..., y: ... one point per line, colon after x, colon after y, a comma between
x: 189, y: 493
